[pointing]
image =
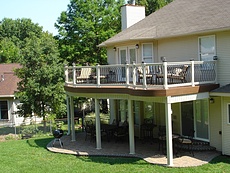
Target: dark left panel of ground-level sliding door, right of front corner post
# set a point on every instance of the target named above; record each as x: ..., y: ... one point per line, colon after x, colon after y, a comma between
x: 187, y: 118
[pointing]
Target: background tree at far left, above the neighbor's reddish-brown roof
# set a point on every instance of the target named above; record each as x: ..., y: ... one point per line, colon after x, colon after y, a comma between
x: 12, y: 38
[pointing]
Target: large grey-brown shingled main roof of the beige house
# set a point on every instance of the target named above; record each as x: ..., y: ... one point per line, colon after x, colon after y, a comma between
x: 180, y: 17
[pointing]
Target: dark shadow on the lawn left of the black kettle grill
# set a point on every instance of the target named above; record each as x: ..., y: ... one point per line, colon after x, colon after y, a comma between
x: 39, y: 142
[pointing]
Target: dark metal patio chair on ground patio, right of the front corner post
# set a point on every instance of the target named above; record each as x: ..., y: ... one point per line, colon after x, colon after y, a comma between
x: 186, y: 142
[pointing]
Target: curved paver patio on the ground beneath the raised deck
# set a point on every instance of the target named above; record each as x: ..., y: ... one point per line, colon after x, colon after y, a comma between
x: 147, y: 151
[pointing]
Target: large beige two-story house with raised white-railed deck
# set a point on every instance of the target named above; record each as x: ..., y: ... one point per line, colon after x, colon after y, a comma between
x: 167, y: 67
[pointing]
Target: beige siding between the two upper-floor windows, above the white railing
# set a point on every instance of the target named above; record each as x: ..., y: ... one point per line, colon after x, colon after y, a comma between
x: 178, y: 49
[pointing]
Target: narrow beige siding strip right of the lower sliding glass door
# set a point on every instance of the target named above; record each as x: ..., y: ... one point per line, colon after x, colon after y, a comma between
x: 215, y: 123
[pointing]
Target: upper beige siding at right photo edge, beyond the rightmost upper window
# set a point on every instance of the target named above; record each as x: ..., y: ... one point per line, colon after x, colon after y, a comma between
x: 223, y: 54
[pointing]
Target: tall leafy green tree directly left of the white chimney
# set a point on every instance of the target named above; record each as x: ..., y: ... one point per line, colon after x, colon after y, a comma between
x: 84, y: 25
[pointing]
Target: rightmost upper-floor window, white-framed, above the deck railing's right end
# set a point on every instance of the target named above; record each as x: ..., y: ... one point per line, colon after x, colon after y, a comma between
x: 207, y: 48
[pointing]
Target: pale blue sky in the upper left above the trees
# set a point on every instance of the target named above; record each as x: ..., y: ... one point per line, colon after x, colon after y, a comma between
x: 43, y: 12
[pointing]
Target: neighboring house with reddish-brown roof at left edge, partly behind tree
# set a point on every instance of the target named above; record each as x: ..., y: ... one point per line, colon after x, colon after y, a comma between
x: 8, y: 102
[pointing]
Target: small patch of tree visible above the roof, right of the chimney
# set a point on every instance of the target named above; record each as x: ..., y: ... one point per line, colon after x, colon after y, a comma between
x: 153, y: 5
